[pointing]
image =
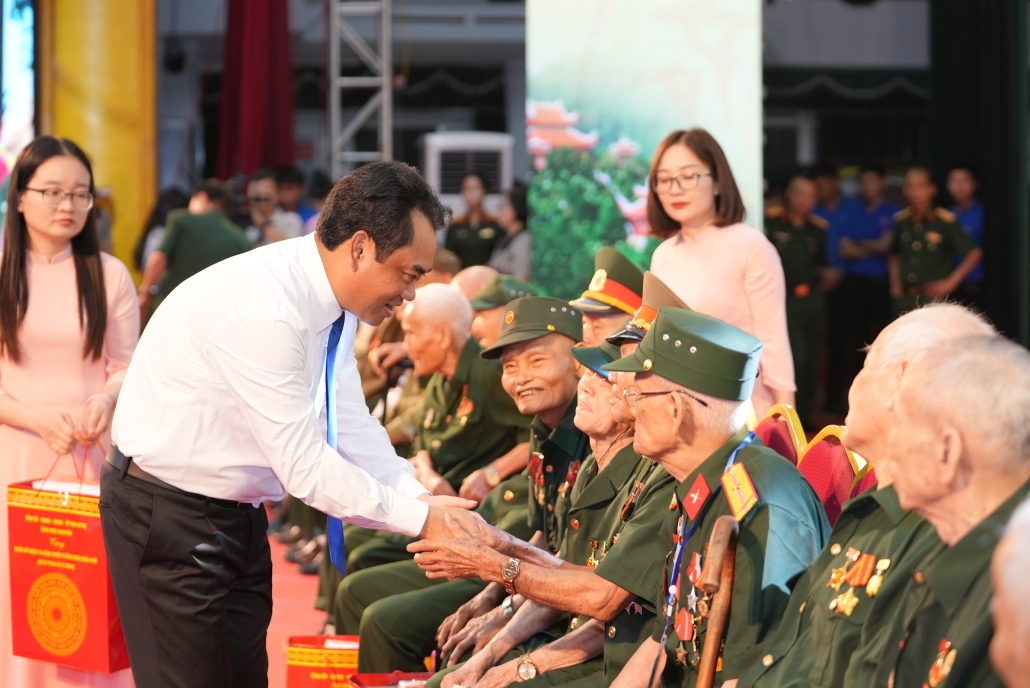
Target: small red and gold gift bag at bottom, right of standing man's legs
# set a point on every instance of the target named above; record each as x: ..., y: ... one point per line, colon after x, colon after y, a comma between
x: 321, y: 662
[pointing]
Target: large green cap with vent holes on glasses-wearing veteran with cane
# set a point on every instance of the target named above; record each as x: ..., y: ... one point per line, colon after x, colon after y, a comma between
x: 699, y: 353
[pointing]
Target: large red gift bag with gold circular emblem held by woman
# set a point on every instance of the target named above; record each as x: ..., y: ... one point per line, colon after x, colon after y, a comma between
x: 63, y: 607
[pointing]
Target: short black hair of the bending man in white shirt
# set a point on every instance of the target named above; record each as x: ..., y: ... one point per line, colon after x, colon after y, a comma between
x: 381, y: 198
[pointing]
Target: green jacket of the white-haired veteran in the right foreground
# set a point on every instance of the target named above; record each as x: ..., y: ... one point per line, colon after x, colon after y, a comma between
x: 940, y: 634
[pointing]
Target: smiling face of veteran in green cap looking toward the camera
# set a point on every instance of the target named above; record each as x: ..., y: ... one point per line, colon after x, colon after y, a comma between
x: 540, y: 374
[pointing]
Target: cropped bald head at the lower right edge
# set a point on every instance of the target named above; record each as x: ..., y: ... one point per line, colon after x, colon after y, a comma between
x: 1011, y: 605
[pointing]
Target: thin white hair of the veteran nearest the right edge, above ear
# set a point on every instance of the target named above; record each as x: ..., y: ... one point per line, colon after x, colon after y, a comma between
x: 981, y: 386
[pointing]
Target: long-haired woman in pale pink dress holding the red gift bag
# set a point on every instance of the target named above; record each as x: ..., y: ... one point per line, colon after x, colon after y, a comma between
x: 68, y: 325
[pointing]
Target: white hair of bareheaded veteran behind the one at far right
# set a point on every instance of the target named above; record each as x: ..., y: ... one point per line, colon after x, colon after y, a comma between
x: 923, y: 330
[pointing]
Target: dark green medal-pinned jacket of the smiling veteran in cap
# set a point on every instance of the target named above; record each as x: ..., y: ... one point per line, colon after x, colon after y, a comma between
x: 556, y: 459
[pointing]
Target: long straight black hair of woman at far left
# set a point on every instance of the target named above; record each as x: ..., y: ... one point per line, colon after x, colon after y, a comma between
x: 85, y: 249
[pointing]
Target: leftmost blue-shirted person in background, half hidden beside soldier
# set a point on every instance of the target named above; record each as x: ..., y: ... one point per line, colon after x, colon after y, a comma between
x: 843, y: 214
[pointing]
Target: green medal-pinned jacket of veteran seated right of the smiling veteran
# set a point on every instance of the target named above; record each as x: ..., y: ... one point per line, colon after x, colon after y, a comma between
x: 603, y: 508
